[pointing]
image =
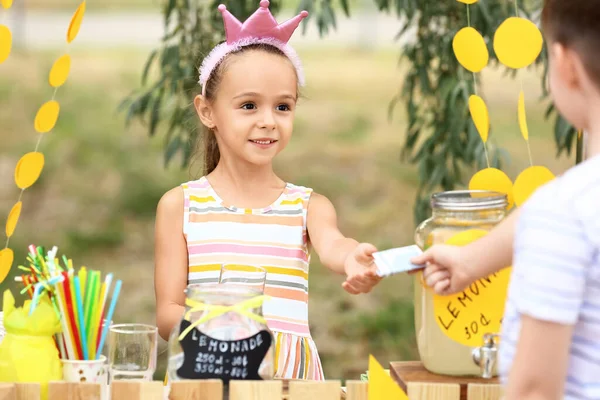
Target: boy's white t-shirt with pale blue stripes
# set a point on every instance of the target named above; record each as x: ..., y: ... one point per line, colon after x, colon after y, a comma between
x: 556, y: 274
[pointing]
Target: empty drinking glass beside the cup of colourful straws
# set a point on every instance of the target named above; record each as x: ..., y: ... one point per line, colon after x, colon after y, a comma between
x: 132, y: 351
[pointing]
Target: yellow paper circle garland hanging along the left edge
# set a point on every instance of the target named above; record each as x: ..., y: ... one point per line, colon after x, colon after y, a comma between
x: 30, y: 166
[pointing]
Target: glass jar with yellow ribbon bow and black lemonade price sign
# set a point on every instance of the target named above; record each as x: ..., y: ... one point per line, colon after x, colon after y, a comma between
x: 222, y: 335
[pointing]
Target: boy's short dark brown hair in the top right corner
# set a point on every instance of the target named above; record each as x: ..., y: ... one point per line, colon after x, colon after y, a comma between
x: 576, y: 25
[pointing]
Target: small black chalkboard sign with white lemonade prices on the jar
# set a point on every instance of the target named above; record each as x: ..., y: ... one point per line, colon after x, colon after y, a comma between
x: 209, y: 358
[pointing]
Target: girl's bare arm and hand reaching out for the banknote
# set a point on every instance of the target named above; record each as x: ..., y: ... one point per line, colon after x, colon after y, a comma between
x: 340, y: 254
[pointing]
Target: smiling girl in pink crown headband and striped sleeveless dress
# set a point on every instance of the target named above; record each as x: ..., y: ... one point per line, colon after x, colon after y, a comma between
x: 241, y: 212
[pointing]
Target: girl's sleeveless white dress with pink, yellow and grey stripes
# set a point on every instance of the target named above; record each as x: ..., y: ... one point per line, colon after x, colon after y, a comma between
x: 274, y: 238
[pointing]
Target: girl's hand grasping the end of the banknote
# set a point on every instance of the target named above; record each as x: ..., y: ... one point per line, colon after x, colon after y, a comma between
x: 361, y: 270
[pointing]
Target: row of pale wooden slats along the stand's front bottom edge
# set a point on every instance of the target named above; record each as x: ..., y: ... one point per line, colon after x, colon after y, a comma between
x: 238, y: 390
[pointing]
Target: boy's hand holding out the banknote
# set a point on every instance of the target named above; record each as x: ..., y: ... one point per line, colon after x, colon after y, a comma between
x: 447, y: 270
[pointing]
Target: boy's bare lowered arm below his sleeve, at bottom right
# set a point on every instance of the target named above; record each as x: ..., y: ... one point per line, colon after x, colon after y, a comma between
x: 541, y: 360
